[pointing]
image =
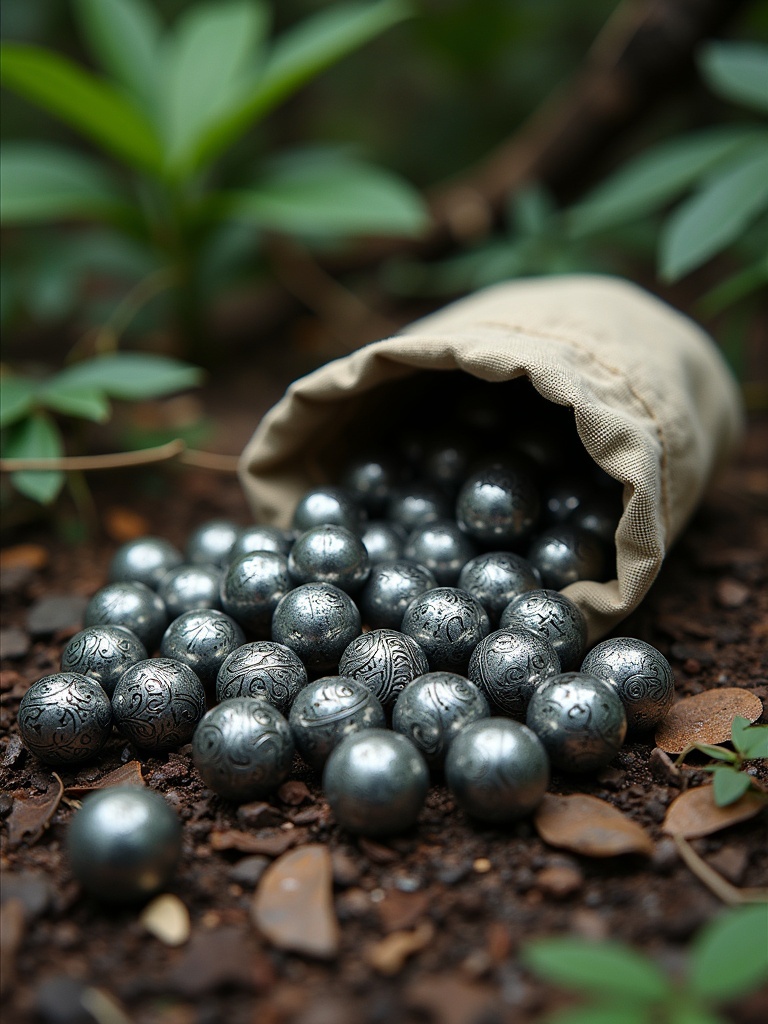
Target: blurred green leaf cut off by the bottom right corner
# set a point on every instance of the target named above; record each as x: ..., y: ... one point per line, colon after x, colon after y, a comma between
x: 731, y: 956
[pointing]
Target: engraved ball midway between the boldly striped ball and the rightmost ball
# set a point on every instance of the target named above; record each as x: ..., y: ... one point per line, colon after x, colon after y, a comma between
x: 509, y: 665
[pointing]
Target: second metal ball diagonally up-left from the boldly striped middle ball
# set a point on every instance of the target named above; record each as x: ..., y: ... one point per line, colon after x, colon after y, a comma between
x: 252, y: 588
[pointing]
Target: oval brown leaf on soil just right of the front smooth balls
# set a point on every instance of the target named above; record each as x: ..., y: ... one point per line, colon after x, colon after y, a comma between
x: 586, y: 825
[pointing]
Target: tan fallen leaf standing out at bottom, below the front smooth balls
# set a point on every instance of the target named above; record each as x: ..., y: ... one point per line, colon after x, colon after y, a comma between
x: 293, y: 907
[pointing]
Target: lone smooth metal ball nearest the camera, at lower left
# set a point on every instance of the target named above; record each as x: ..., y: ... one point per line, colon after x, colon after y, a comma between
x: 124, y: 844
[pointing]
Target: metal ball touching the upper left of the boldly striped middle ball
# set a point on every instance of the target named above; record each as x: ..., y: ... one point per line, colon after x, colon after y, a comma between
x: 318, y: 622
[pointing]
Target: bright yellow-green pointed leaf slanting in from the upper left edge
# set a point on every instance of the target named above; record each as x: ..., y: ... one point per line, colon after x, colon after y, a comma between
x: 89, y: 104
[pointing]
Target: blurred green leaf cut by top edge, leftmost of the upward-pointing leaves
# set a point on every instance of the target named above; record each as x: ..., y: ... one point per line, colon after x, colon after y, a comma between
x: 124, y: 36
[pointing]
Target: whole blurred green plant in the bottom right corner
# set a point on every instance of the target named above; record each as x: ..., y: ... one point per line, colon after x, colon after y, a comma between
x: 729, y: 959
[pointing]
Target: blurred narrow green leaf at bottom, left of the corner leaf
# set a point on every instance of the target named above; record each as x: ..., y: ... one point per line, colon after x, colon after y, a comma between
x: 598, y: 968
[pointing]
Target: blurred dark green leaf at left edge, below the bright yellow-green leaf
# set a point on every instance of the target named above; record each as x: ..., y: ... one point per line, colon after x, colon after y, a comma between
x: 45, y: 183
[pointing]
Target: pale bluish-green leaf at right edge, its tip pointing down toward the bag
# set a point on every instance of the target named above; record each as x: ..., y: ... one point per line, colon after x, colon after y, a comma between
x: 716, y: 216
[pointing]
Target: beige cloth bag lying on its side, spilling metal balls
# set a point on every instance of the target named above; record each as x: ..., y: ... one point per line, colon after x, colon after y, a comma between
x: 655, y: 407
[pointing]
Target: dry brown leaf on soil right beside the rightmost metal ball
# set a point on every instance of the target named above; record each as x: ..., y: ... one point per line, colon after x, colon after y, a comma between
x: 707, y: 718
